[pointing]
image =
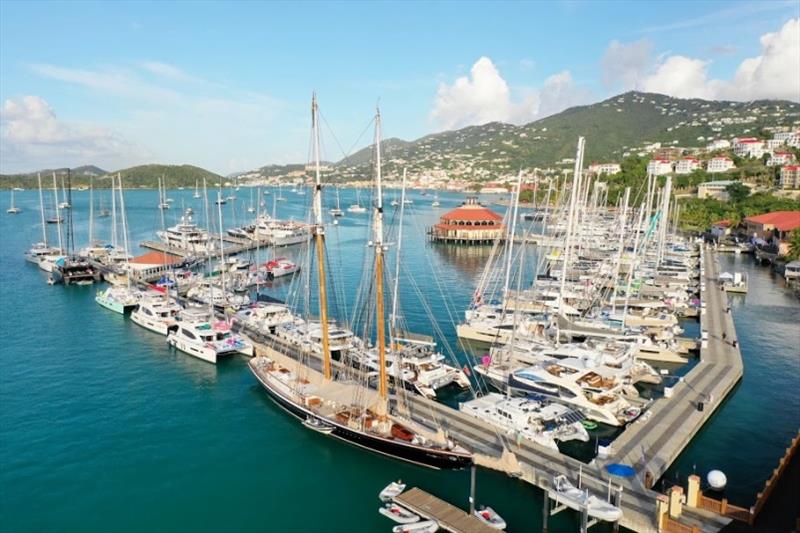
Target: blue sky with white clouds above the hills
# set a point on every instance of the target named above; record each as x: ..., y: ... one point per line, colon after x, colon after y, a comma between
x: 227, y: 86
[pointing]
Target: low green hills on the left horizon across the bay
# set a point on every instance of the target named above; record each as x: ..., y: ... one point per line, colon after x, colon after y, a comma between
x: 139, y: 176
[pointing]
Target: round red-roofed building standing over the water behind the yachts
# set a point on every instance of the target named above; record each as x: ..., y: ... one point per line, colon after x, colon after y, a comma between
x: 471, y: 223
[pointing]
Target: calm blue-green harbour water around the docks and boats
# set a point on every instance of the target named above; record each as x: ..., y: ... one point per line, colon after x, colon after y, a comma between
x: 104, y: 429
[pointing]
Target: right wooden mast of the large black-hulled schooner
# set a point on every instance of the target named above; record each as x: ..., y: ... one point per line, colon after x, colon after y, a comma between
x: 383, y: 388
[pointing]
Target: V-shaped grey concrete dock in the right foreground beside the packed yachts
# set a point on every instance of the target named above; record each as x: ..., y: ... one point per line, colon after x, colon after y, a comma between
x: 650, y: 444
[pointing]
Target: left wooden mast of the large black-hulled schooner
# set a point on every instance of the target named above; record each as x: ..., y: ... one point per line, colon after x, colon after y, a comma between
x: 319, y: 238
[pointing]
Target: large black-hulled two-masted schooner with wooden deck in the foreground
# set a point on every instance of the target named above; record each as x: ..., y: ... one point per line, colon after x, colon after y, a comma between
x: 357, y: 414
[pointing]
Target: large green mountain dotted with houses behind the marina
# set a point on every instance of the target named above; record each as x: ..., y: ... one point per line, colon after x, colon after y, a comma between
x: 622, y: 124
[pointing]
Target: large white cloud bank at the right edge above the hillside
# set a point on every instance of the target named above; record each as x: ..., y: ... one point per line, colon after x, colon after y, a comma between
x: 772, y: 74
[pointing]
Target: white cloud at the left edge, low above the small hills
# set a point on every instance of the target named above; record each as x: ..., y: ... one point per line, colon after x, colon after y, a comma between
x: 33, y: 137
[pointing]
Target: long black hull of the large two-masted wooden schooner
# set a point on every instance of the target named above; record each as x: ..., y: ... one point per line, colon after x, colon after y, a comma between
x: 440, y: 460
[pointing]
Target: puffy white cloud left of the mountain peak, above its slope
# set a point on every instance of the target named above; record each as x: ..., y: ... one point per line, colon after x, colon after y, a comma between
x: 485, y: 96
